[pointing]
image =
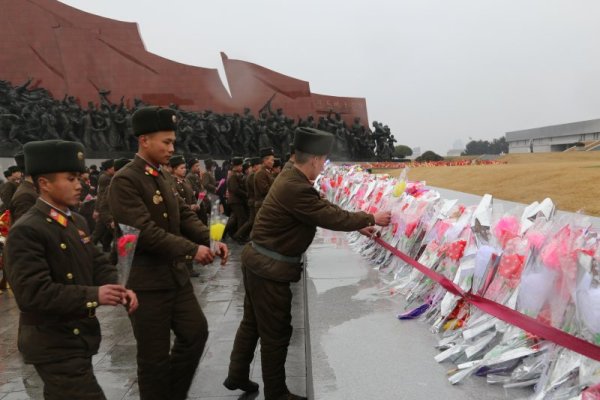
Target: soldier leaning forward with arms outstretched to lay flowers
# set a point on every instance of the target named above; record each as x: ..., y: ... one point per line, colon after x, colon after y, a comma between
x: 284, y: 229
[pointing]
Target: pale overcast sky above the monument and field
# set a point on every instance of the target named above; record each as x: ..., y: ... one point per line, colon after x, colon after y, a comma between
x: 435, y: 71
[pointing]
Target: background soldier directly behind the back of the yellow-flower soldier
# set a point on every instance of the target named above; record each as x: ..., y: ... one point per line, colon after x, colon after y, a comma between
x: 103, y: 232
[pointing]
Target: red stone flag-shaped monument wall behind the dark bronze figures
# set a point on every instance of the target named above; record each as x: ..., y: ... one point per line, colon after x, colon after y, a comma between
x: 68, y: 51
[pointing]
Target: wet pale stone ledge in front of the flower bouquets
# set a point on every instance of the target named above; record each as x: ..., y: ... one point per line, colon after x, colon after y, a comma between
x: 357, y: 347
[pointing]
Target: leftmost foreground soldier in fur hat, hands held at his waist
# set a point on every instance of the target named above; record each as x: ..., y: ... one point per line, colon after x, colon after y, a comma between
x: 58, y: 276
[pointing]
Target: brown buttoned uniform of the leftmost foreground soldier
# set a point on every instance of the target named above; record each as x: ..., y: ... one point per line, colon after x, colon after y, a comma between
x: 55, y: 272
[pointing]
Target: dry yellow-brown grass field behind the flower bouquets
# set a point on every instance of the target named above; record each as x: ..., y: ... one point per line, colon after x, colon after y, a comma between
x: 570, y: 179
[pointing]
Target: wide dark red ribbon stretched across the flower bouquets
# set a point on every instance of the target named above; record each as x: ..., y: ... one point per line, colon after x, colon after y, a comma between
x: 502, y: 312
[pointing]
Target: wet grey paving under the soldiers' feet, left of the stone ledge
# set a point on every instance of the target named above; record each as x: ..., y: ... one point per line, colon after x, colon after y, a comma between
x: 220, y: 292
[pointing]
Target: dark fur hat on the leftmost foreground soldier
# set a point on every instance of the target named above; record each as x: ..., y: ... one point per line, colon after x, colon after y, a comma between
x: 51, y: 156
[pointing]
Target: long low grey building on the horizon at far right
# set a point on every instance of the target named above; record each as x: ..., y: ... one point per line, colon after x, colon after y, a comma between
x: 582, y: 135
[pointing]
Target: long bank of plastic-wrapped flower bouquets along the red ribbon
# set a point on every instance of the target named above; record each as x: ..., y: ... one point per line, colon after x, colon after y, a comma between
x: 526, y: 259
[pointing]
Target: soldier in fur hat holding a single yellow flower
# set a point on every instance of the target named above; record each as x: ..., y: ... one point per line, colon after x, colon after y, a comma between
x: 170, y: 234
